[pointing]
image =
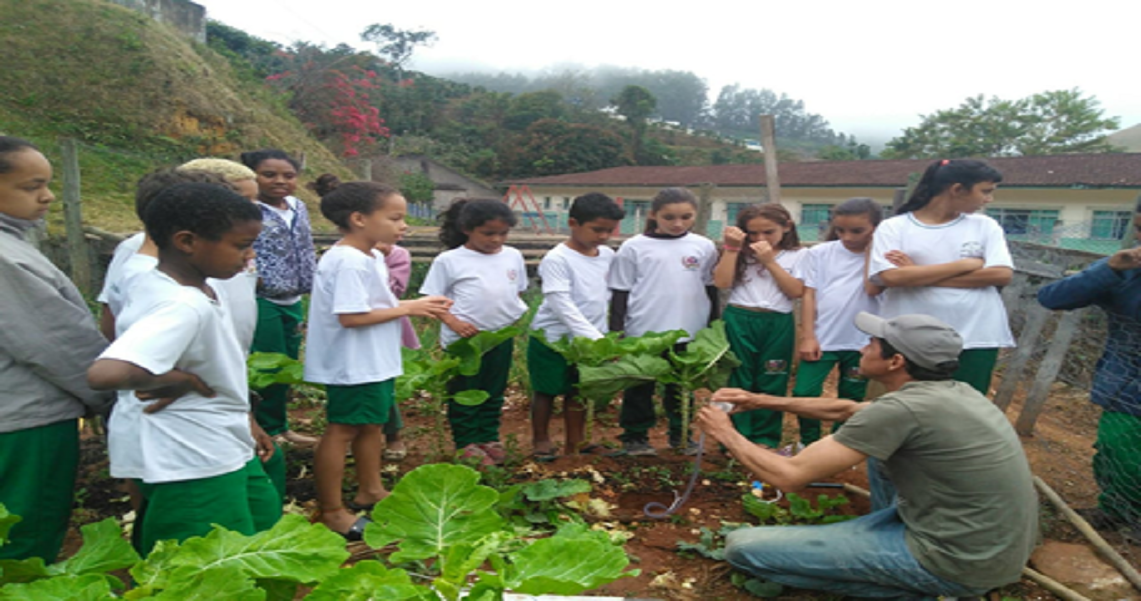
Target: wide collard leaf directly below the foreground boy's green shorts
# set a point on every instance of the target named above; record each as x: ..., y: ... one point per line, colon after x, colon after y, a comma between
x: 293, y: 550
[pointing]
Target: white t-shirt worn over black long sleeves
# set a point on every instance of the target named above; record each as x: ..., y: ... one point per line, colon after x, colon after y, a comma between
x: 667, y: 280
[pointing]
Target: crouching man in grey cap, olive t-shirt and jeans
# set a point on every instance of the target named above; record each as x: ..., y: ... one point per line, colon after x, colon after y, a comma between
x: 954, y: 513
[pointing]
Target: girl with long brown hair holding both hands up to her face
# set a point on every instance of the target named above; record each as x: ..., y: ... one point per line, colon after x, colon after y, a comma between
x: 764, y: 281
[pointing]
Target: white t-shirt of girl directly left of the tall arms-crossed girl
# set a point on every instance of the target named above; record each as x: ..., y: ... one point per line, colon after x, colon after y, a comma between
x: 837, y: 275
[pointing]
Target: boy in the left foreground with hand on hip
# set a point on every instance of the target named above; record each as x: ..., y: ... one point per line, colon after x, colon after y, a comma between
x: 197, y: 458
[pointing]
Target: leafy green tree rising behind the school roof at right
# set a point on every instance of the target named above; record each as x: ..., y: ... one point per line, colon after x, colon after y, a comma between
x: 1053, y: 123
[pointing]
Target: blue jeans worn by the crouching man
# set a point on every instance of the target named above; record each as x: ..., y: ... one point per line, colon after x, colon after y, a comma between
x: 867, y: 557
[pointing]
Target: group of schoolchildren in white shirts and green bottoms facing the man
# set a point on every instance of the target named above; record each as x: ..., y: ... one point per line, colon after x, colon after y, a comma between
x: 229, y: 254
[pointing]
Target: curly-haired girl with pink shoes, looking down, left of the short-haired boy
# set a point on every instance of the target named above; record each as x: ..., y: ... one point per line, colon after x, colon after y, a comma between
x: 484, y: 279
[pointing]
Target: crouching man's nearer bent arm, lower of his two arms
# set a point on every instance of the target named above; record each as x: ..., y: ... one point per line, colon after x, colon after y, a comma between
x: 821, y: 460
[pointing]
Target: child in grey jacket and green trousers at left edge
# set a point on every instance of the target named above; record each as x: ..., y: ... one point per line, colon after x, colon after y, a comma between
x: 47, y: 342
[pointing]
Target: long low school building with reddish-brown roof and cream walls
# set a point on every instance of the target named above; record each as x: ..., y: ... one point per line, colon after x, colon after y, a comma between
x: 1080, y: 201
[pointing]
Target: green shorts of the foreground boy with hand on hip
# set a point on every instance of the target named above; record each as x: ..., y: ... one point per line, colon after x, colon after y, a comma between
x: 244, y: 501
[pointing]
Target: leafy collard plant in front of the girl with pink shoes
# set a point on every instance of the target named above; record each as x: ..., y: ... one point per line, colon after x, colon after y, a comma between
x: 431, y: 373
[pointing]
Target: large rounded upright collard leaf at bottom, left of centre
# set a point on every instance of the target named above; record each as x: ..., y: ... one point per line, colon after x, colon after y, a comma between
x: 433, y: 508
